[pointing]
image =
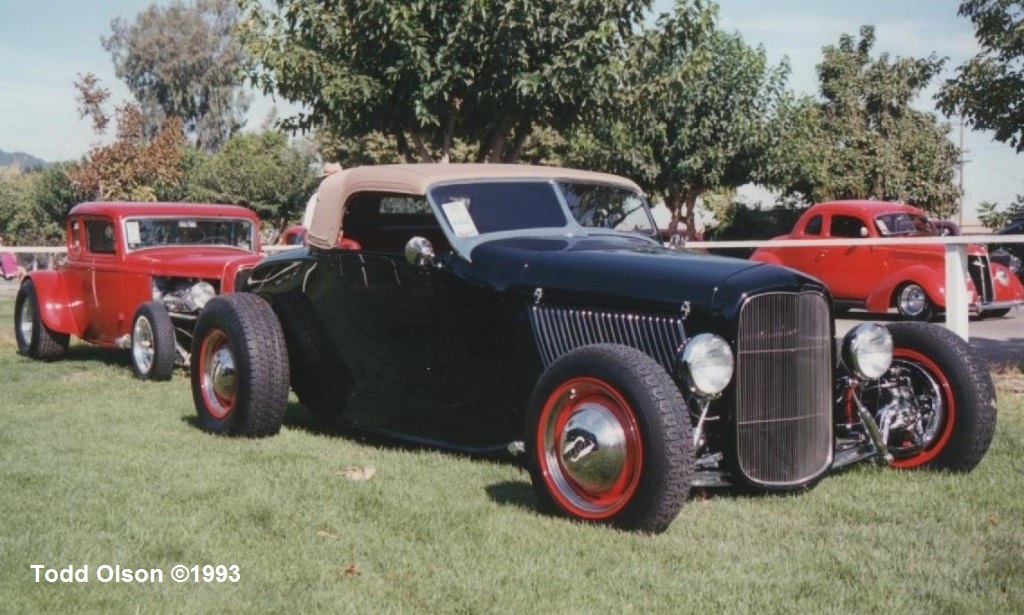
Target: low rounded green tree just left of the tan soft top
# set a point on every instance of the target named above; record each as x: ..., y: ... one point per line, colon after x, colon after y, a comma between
x: 261, y: 171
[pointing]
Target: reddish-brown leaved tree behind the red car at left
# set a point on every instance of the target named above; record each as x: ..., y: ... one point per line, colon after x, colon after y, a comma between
x: 134, y: 167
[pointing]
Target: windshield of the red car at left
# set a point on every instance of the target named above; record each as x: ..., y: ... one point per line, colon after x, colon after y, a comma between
x: 153, y: 233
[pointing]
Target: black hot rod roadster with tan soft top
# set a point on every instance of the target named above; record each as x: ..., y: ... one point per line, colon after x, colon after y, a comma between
x: 474, y: 312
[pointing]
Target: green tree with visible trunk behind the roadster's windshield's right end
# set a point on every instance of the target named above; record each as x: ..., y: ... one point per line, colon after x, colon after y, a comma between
x: 695, y: 115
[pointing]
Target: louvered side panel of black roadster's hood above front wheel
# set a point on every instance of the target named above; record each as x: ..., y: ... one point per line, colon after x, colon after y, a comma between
x: 559, y: 331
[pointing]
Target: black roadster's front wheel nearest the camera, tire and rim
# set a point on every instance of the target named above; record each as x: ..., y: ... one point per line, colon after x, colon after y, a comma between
x: 645, y: 486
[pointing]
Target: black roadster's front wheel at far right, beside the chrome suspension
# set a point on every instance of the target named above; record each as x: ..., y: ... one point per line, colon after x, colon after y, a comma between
x: 946, y: 396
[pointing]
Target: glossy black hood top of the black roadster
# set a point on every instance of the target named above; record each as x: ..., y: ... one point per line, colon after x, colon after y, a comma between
x: 629, y: 272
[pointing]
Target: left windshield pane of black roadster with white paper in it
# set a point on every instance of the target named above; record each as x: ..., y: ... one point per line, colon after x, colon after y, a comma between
x: 475, y: 209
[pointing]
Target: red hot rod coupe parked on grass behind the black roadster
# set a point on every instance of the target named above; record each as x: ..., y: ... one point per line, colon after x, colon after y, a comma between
x: 138, y: 276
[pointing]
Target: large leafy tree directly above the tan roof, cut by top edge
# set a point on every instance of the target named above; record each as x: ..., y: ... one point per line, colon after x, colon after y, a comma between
x: 426, y: 73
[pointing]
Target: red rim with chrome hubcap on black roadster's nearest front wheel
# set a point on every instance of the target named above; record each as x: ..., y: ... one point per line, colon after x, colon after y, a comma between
x: 589, y: 449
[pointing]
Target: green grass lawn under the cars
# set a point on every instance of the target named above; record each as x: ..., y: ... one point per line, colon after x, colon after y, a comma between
x: 98, y: 469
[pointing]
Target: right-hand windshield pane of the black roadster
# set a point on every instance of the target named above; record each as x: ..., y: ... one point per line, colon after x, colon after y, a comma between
x: 598, y: 206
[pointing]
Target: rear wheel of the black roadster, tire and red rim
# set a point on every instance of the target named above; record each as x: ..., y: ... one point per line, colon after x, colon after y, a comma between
x: 240, y: 367
